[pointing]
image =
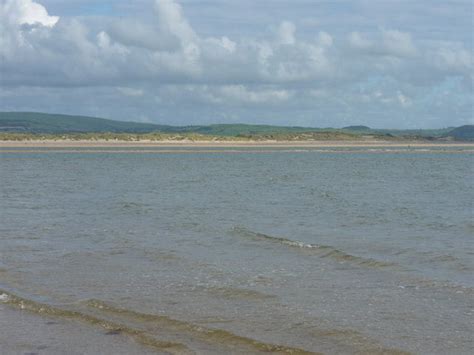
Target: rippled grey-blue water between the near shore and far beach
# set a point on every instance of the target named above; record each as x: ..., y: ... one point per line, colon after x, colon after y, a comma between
x: 235, y: 250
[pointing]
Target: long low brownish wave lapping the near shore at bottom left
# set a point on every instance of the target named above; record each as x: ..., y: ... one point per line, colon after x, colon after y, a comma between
x: 145, y: 328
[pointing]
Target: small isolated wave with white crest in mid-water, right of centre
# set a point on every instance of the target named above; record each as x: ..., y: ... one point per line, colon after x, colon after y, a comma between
x: 323, y: 251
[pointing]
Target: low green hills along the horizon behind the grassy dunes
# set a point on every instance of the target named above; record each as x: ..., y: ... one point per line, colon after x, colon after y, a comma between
x: 45, y: 123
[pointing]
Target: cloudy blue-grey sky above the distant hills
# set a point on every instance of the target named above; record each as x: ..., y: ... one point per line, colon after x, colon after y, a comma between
x: 317, y: 63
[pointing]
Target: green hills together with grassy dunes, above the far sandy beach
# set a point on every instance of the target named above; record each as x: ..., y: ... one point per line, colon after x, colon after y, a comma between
x: 31, y: 125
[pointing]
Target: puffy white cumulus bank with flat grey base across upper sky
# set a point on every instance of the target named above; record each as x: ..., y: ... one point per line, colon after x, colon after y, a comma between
x: 168, y: 50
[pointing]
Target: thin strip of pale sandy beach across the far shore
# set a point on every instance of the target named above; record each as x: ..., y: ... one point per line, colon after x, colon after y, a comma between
x: 223, y: 144
